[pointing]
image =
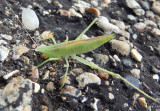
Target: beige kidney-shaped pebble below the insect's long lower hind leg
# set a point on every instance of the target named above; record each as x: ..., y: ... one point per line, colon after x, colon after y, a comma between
x: 87, y: 78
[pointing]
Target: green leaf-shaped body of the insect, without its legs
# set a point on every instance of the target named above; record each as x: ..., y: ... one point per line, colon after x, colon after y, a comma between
x: 70, y: 48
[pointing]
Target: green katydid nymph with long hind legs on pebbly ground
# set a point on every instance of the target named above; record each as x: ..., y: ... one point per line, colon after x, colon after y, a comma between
x: 79, y: 46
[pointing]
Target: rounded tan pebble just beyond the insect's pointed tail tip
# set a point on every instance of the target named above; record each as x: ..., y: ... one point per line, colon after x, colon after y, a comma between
x: 120, y: 46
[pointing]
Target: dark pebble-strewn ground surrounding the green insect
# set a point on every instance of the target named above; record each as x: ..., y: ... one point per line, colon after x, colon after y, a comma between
x: 134, y: 54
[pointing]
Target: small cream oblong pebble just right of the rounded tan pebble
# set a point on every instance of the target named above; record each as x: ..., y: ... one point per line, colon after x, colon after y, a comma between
x: 136, y: 55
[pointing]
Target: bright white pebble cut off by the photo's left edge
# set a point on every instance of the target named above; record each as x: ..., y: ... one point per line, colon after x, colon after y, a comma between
x: 3, y: 53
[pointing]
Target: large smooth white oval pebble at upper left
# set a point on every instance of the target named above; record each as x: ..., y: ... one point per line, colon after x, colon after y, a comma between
x: 30, y: 19
